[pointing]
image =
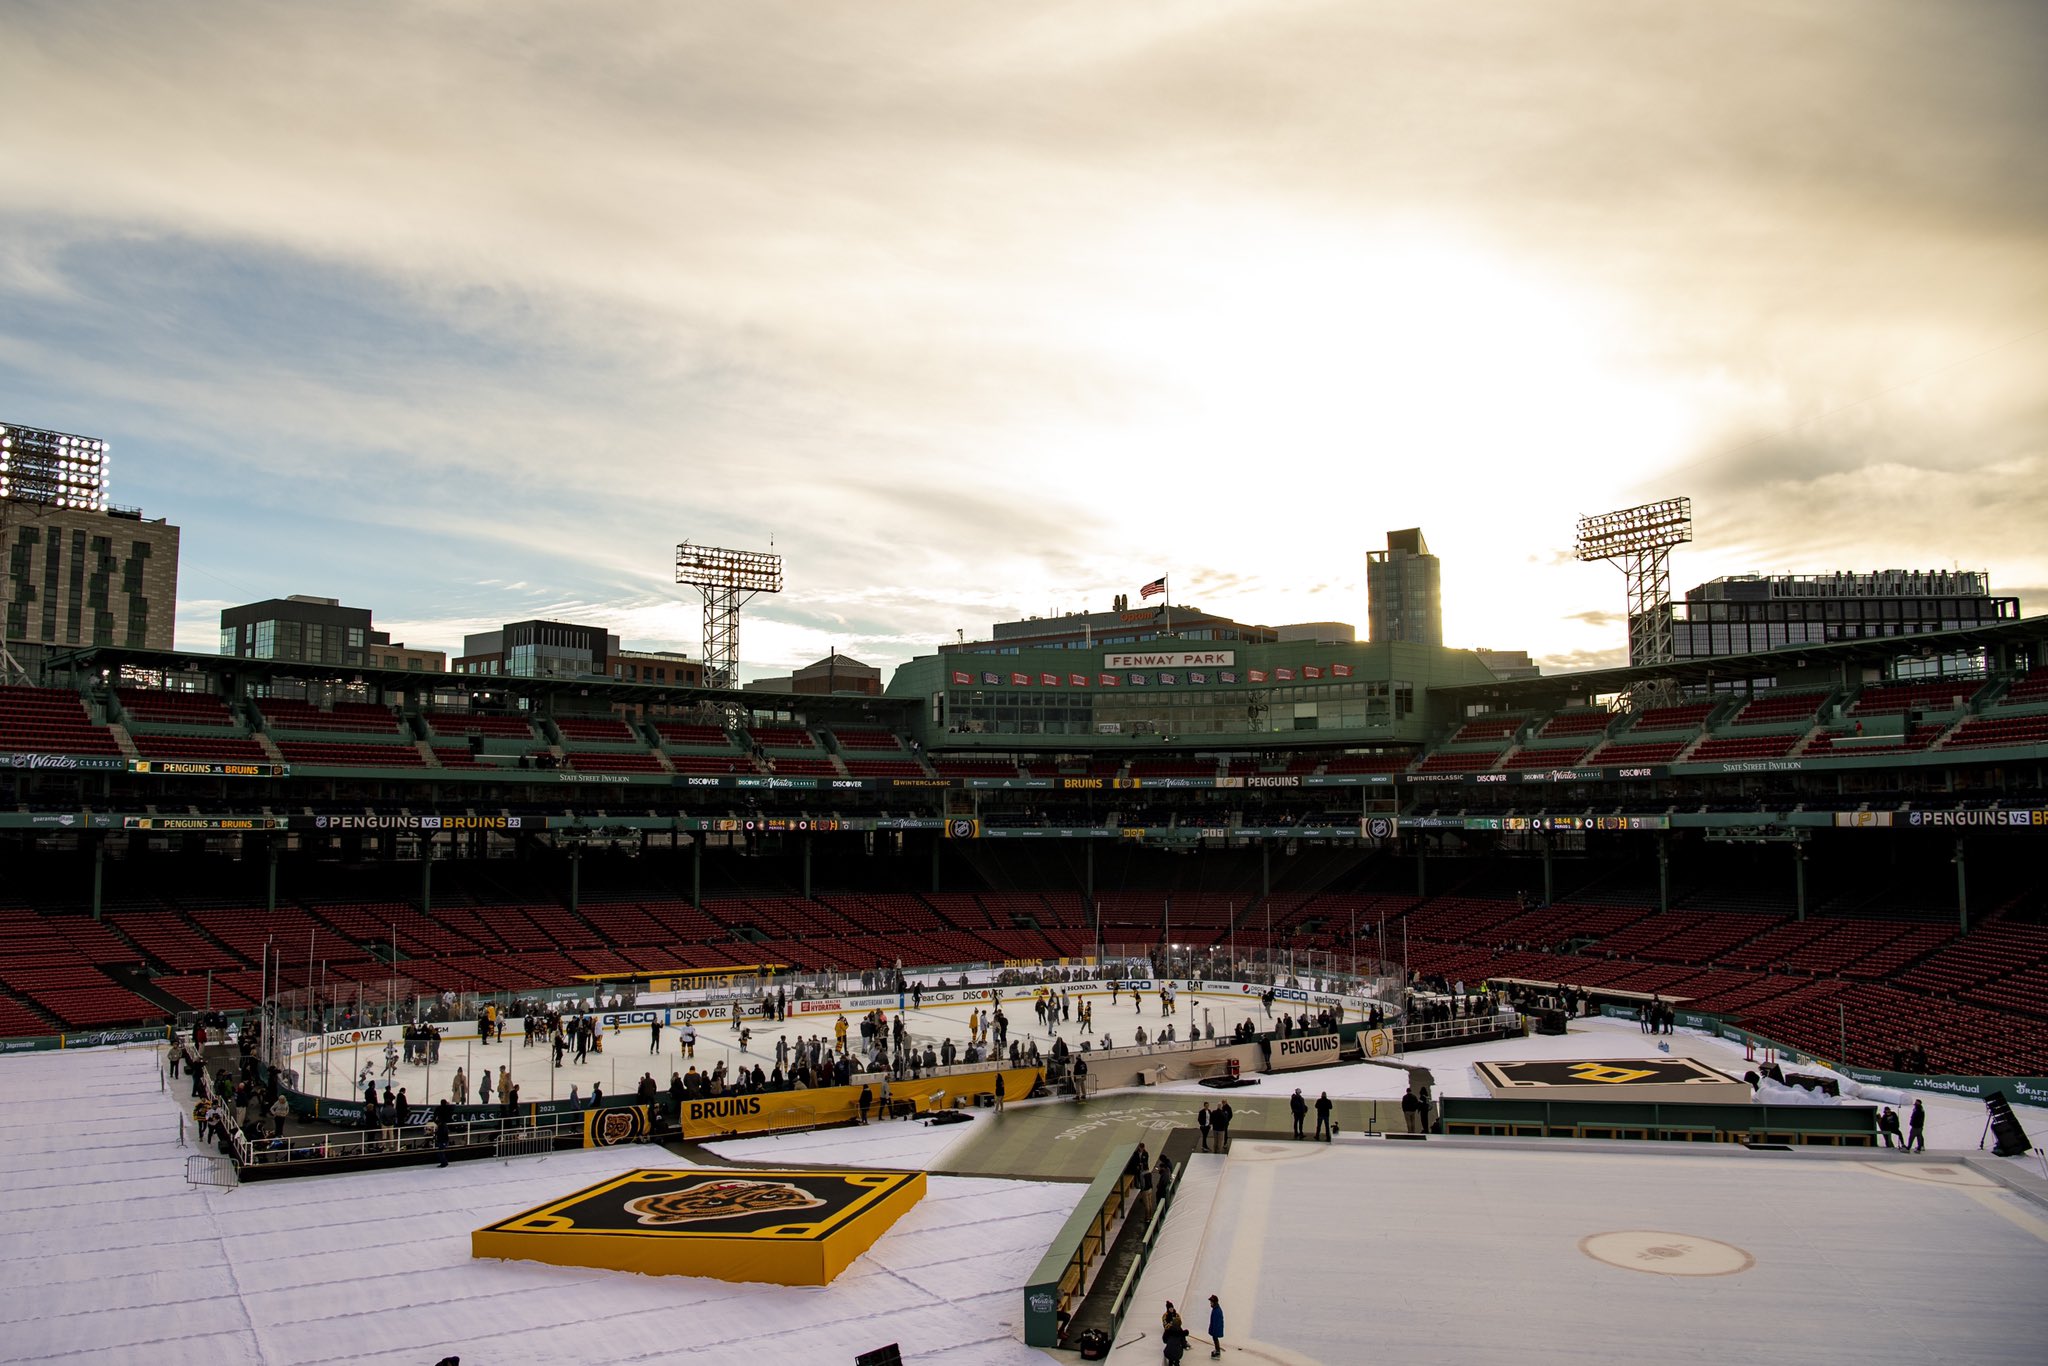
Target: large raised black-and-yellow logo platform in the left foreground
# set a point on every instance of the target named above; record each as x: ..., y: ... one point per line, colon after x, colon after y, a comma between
x: 787, y: 1228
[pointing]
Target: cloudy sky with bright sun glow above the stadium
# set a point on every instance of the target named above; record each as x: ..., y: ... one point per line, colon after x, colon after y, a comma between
x: 472, y: 310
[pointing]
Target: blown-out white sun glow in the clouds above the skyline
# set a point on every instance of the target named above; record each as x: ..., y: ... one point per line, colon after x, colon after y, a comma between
x: 1361, y: 376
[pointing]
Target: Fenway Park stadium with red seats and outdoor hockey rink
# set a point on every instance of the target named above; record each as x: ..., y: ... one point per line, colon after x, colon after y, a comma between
x: 1609, y: 980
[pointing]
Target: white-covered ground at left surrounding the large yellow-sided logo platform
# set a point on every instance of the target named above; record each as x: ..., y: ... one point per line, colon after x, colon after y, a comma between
x: 110, y: 1256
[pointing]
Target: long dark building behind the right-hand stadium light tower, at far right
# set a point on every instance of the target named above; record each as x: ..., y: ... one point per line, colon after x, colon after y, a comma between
x: 1752, y: 613
